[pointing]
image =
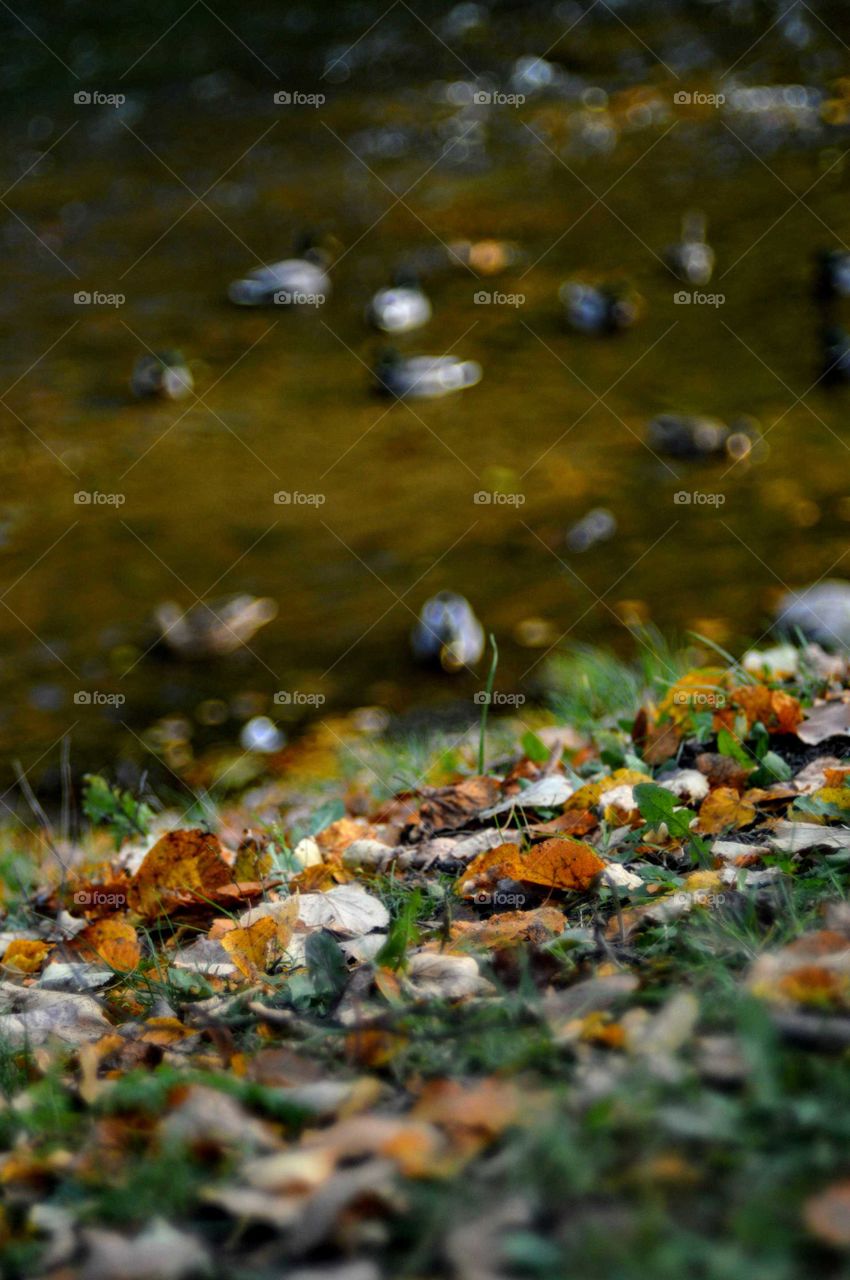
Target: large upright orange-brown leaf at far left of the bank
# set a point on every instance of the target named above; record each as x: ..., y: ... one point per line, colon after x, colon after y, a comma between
x: 180, y: 863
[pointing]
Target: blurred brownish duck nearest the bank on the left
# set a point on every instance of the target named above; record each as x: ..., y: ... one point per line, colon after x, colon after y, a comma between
x: 216, y: 629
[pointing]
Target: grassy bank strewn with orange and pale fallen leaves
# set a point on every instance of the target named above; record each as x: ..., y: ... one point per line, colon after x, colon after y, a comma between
x: 561, y: 994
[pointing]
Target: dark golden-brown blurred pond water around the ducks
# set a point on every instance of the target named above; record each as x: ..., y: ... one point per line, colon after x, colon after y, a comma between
x: 200, y: 176
